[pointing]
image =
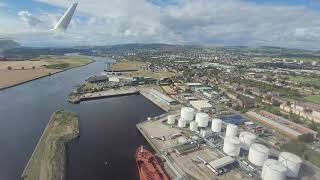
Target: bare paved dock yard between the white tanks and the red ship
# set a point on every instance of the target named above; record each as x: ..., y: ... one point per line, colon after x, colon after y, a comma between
x: 181, y: 165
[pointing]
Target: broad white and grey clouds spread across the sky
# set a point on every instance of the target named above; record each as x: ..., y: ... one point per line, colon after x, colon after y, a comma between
x: 228, y: 22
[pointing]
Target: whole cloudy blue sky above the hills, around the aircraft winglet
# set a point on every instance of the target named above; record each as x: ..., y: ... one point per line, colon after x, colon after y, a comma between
x: 285, y: 23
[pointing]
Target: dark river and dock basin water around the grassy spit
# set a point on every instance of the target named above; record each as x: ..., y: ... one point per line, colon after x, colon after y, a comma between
x: 107, y: 126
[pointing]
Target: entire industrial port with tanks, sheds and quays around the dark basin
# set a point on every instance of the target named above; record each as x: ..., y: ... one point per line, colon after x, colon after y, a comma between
x: 198, y: 137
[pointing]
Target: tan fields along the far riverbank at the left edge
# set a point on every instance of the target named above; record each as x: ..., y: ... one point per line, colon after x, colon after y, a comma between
x: 16, y: 77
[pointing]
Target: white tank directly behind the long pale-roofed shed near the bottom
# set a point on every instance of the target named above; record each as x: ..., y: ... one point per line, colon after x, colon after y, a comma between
x: 231, y: 146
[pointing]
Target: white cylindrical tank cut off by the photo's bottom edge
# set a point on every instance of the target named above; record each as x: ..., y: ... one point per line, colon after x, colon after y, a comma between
x: 273, y: 170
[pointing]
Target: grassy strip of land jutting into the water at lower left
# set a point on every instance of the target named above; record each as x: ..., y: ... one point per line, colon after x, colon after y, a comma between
x: 49, y: 157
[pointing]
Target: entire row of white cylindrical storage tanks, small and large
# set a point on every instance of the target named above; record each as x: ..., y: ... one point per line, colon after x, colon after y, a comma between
x: 288, y: 164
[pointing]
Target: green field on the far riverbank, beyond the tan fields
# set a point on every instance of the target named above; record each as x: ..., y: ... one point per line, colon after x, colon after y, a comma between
x: 67, y: 62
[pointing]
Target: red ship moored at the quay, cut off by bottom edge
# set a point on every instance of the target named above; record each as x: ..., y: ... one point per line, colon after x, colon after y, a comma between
x: 148, y: 165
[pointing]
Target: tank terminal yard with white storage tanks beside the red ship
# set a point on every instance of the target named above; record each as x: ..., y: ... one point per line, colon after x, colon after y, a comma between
x: 194, y: 145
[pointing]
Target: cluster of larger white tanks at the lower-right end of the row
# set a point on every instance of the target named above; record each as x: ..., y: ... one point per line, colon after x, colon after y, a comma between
x: 288, y: 164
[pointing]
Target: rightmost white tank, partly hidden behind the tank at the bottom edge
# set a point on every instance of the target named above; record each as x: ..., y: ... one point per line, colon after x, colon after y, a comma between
x: 292, y: 162
